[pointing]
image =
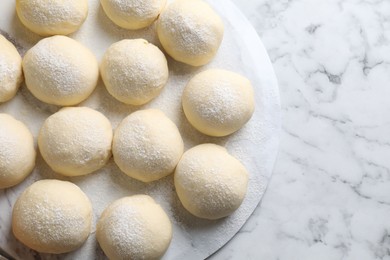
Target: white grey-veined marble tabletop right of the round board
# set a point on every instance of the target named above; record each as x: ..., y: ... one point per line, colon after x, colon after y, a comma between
x: 329, y: 197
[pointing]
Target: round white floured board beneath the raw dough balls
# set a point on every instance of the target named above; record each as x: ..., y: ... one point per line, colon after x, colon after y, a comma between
x: 255, y: 145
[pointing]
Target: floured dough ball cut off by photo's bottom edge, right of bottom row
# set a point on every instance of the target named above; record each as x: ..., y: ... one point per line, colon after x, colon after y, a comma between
x: 134, y: 228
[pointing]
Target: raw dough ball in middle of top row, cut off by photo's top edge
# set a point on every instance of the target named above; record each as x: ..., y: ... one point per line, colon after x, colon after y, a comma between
x: 133, y: 14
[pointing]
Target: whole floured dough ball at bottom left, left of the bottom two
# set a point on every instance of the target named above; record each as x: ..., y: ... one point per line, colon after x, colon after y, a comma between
x: 52, y: 216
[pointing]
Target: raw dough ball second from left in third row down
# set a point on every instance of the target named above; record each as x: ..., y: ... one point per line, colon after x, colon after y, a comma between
x: 76, y: 141
